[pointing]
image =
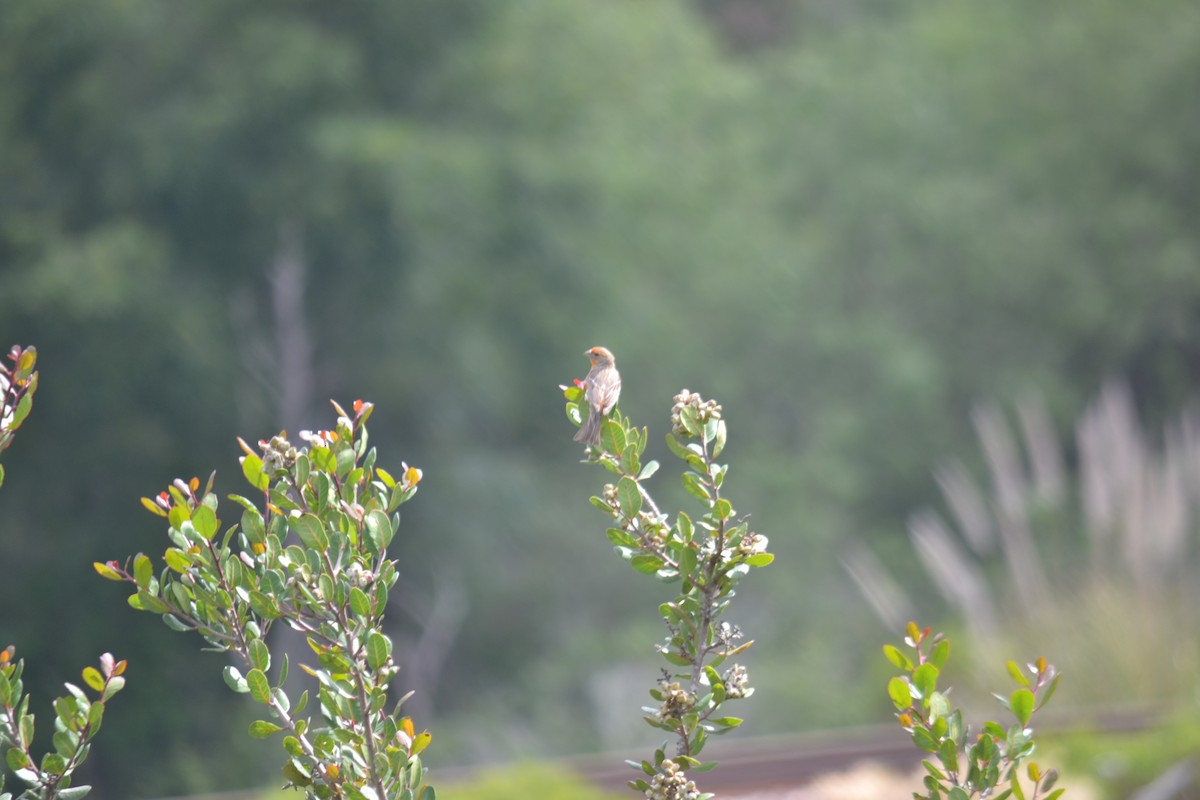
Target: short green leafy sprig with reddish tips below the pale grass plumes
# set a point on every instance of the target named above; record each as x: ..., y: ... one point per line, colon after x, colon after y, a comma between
x: 969, y: 767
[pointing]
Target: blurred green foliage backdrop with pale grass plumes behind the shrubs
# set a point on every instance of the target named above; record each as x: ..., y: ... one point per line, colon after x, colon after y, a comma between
x: 939, y: 261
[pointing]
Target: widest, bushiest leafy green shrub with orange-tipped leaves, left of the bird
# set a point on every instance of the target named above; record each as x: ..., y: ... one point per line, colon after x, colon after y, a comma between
x: 313, y: 555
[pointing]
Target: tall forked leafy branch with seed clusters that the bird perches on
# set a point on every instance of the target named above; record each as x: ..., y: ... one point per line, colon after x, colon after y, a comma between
x: 706, y: 558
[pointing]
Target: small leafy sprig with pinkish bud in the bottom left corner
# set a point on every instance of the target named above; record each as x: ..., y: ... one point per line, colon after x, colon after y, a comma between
x: 77, y: 721
